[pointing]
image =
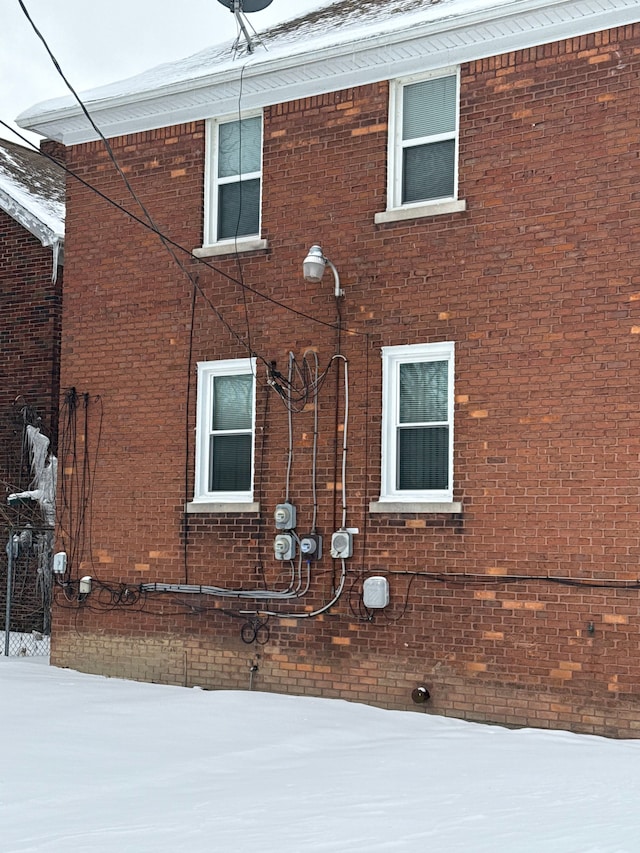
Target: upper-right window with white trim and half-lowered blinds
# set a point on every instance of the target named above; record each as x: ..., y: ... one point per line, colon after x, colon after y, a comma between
x: 423, y: 142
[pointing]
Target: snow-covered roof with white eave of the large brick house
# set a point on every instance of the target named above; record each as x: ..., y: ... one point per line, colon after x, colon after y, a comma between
x: 337, y: 45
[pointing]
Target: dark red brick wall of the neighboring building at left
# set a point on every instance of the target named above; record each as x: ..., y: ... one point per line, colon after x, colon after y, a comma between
x: 30, y: 315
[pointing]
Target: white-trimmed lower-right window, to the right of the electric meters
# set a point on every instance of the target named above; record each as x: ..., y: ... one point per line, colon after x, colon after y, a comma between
x: 417, y: 422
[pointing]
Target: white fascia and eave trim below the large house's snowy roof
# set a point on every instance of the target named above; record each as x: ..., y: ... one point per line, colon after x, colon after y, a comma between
x: 448, y: 41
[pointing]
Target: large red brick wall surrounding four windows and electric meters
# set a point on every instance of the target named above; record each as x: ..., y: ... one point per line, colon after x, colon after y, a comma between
x: 536, y: 282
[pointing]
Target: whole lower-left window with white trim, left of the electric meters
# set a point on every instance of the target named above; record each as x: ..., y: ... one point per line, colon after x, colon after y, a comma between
x: 225, y: 426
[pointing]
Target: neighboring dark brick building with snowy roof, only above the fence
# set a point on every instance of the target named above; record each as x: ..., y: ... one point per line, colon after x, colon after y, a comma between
x: 32, y: 197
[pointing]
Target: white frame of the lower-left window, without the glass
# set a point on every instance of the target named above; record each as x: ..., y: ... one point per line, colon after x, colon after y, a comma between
x: 207, y: 371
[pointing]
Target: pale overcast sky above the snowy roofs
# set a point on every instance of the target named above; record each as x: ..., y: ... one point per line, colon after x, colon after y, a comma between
x: 97, y: 44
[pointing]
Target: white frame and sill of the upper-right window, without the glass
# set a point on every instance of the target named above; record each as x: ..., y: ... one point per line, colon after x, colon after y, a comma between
x: 396, y: 209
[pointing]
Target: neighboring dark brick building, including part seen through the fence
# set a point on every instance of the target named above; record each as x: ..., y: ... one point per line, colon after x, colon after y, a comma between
x: 32, y: 202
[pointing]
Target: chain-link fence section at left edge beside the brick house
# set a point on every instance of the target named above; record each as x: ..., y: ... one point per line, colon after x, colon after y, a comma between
x: 25, y: 591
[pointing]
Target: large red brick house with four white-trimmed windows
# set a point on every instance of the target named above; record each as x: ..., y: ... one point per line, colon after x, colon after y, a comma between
x: 428, y: 481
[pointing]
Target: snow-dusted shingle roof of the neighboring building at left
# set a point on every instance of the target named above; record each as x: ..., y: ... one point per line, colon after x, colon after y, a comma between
x: 32, y: 191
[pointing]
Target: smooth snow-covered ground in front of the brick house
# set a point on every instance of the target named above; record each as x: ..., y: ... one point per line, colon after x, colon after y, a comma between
x: 93, y: 764
